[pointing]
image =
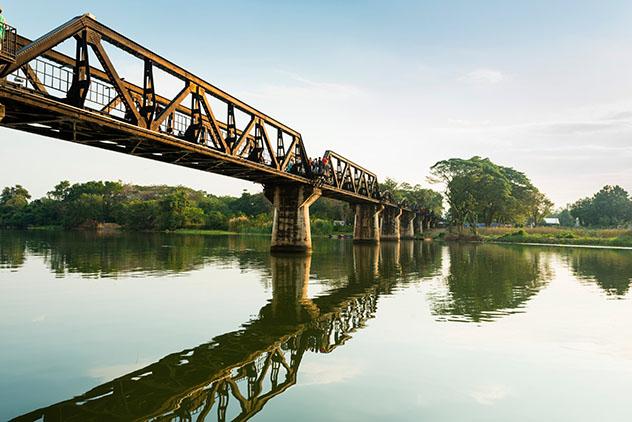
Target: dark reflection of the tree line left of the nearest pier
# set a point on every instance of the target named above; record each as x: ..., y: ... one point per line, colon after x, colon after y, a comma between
x: 112, y: 255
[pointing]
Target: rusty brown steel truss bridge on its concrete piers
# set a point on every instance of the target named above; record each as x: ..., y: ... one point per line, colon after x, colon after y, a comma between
x: 91, y: 102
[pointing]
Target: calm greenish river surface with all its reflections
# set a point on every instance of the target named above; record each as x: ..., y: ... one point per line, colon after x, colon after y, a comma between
x: 174, y: 327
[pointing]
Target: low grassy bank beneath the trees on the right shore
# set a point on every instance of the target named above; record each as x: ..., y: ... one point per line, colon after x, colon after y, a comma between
x: 560, y: 236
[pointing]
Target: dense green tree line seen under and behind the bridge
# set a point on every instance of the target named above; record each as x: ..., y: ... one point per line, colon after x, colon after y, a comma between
x: 159, y: 208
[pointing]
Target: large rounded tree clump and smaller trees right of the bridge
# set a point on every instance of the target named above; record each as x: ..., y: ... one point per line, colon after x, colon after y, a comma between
x: 480, y: 192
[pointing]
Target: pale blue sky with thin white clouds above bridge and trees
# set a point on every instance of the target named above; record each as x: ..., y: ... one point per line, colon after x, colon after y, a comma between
x: 541, y: 86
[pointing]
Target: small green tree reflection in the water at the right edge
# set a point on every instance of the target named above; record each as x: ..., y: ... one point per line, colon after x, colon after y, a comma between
x: 610, y: 269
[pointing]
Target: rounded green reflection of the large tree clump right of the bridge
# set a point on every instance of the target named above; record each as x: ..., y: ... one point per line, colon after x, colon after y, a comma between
x: 488, y: 281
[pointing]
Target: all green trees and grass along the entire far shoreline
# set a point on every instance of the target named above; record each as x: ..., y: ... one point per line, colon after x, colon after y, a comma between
x: 486, y: 202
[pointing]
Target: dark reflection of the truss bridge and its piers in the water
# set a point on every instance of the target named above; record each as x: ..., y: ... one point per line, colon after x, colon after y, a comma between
x: 237, y: 373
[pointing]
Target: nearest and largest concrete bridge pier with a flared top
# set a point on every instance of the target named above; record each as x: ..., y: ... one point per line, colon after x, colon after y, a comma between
x: 290, y: 227
